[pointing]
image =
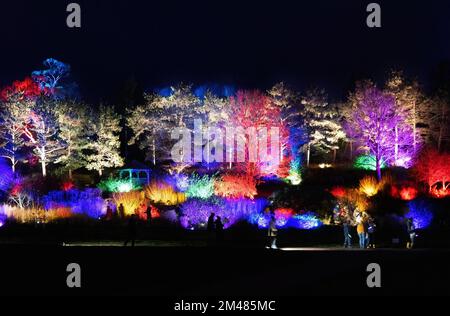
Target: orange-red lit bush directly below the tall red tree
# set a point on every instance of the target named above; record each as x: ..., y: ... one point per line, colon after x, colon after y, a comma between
x: 236, y: 186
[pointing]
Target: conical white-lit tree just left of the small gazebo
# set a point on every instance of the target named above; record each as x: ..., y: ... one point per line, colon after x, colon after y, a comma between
x: 104, y: 146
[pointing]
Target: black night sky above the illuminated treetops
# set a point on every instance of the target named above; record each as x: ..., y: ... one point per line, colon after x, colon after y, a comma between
x: 250, y: 44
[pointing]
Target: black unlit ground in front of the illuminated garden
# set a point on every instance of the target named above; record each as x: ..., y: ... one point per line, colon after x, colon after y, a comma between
x: 183, y: 271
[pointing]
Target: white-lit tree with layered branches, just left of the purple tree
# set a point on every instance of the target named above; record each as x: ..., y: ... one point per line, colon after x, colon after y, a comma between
x: 322, y: 123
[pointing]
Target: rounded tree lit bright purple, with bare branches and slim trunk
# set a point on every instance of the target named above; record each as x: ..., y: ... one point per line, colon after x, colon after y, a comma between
x: 374, y: 121
